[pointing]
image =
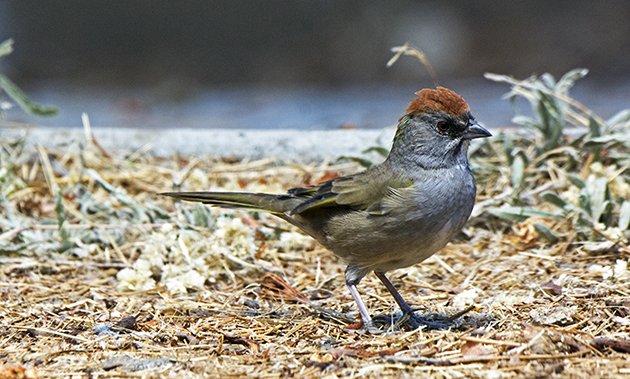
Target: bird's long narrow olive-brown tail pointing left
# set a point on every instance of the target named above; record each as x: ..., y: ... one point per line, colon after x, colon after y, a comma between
x: 277, y: 204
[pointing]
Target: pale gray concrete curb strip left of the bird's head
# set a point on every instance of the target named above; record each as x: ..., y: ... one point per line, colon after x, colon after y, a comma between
x: 302, y: 146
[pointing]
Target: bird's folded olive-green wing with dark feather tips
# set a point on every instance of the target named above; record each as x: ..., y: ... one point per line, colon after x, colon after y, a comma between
x: 364, y: 191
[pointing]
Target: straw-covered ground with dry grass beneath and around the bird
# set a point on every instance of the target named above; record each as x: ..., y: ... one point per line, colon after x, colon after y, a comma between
x: 74, y: 217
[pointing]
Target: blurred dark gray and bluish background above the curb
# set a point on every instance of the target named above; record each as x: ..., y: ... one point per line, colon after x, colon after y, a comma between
x: 300, y: 64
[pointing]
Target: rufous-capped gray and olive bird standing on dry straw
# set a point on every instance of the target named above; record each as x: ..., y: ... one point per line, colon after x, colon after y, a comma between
x: 394, y: 214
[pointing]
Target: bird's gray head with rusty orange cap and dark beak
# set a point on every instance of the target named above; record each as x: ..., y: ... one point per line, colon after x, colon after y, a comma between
x: 436, y: 129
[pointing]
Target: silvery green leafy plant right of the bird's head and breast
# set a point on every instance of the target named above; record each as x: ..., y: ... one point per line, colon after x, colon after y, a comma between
x: 593, y: 153
